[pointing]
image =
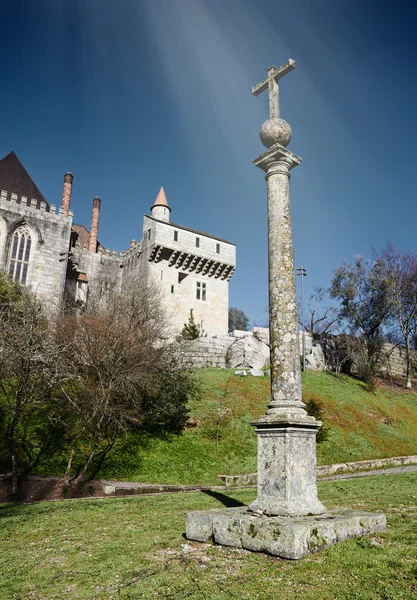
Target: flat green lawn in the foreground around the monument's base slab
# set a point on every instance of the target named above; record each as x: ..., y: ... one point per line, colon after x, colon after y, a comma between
x: 134, y: 548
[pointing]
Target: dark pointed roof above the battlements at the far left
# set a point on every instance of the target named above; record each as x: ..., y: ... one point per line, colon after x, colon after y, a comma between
x: 15, y: 178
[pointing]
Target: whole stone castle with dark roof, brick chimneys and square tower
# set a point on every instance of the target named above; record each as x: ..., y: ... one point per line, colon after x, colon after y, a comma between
x: 42, y: 248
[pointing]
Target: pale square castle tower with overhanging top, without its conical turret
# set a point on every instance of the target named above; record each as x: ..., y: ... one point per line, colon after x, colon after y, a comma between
x: 192, y: 275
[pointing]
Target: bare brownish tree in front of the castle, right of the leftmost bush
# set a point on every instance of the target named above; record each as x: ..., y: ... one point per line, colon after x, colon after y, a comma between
x: 124, y: 373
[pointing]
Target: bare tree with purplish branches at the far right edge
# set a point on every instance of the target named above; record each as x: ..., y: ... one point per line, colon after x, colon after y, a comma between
x: 401, y: 270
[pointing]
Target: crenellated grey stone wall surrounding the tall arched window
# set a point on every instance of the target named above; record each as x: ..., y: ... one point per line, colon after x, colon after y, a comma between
x: 50, y: 233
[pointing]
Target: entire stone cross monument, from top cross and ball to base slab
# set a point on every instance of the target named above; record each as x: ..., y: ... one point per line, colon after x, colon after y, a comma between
x: 286, y: 433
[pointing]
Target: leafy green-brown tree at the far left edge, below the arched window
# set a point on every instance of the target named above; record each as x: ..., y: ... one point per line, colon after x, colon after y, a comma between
x: 29, y: 358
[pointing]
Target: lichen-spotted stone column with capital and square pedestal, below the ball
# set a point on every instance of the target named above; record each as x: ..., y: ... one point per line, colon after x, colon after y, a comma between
x: 286, y: 433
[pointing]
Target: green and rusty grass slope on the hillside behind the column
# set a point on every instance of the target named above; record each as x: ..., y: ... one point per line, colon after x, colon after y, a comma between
x: 363, y: 426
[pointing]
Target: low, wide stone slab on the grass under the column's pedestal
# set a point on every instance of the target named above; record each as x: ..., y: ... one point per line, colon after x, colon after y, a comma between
x: 287, y: 537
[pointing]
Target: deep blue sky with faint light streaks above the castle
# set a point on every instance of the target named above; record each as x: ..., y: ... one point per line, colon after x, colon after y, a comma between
x: 130, y: 95
